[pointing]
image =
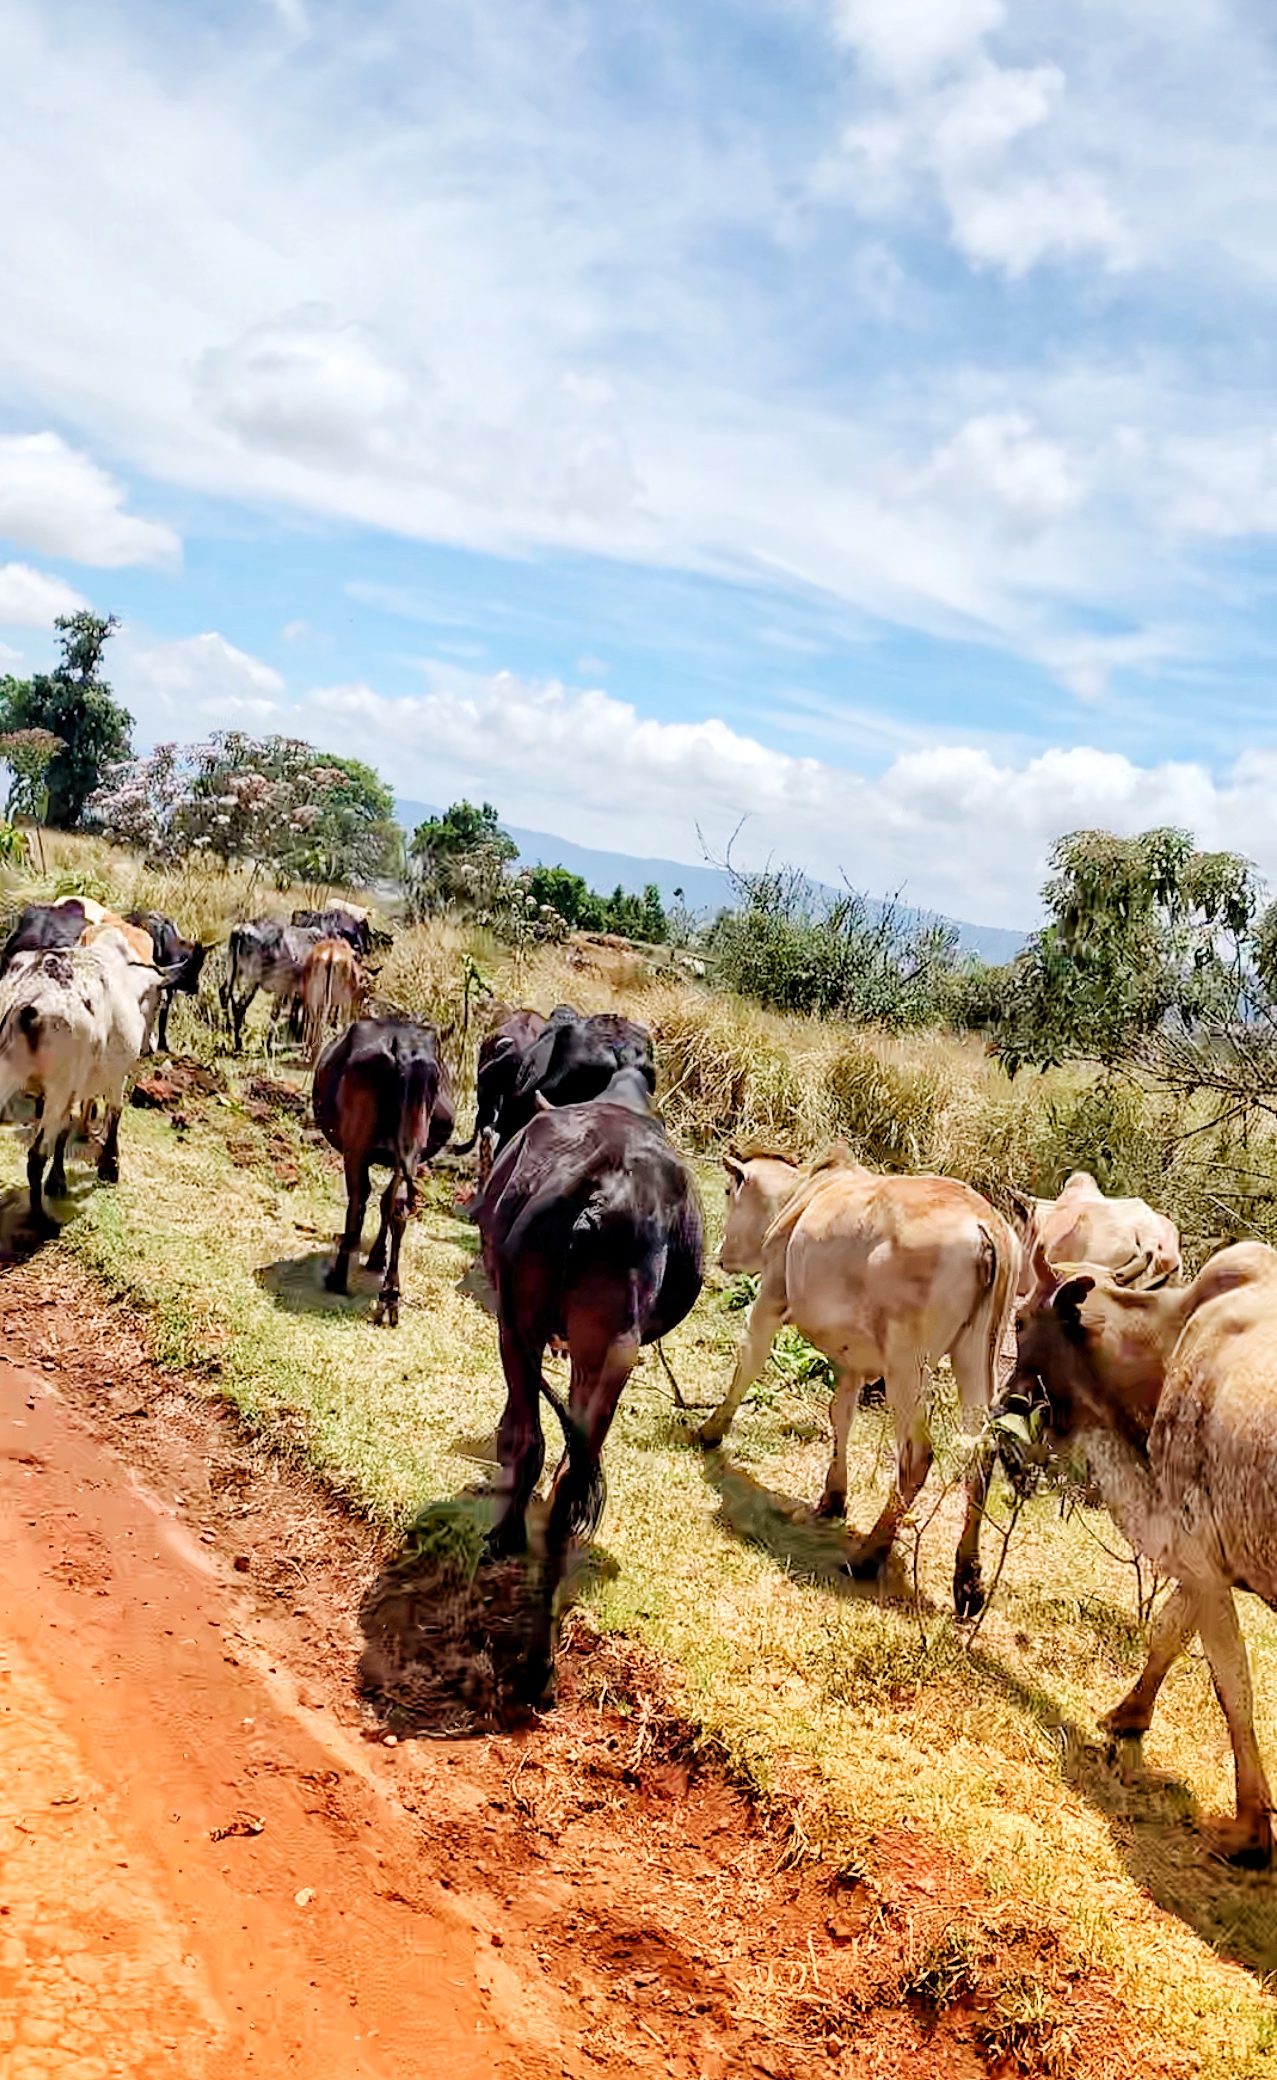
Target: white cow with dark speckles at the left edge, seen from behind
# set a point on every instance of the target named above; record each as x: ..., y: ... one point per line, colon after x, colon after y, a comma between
x: 72, y: 1026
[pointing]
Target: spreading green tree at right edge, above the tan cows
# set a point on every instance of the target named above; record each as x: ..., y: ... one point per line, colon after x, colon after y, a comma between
x: 1145, y: 935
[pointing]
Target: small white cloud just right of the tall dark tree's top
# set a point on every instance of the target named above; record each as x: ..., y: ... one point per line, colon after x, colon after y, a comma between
x: 190, y: 685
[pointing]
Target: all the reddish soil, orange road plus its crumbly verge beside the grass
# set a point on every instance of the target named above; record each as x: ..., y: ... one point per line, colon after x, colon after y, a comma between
x: 215, y: 1865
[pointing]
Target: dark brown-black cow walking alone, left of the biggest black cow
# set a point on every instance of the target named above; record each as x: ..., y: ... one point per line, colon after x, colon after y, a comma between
x: 382, y: 1095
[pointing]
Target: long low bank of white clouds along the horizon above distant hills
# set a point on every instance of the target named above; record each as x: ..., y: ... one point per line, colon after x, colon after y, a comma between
x: 956, y: 827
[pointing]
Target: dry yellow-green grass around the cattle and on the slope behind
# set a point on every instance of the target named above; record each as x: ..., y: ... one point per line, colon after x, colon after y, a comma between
x: 866, y: 1707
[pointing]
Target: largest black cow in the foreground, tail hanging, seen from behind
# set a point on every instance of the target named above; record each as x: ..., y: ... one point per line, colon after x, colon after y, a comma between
x: 592, y: 1234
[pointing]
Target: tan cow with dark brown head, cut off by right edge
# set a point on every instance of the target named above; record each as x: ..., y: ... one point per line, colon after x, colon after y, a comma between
x: 1174, y: 1399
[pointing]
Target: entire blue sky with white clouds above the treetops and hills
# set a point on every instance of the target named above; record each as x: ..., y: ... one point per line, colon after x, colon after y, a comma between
x: 850, y: 417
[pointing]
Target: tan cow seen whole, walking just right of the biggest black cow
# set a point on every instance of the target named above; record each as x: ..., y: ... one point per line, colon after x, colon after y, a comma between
x: 885, y: 1276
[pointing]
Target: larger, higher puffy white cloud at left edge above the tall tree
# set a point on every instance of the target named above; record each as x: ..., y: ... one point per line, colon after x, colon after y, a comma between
x: 55, y: 500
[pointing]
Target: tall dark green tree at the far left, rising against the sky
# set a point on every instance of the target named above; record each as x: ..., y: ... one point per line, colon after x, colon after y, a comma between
x: 76, y: 704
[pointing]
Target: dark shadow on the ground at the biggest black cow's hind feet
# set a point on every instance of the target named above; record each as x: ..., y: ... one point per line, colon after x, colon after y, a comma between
x: 446, y: 1630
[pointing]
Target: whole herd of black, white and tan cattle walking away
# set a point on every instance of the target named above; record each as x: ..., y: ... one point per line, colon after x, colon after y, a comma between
x: 594, y: 1245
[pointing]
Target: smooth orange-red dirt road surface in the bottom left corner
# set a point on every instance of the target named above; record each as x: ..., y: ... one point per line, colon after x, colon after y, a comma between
x: 130, y: 1940
